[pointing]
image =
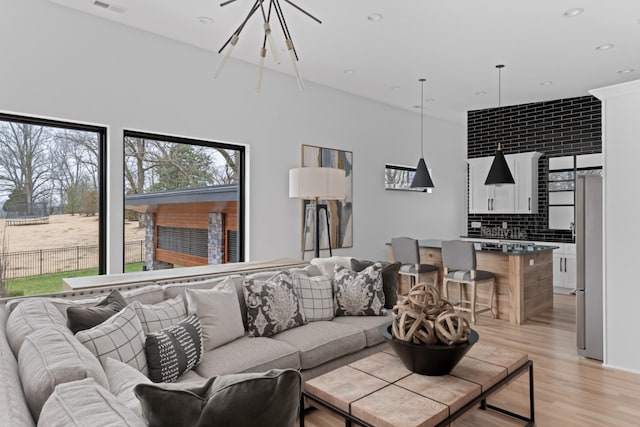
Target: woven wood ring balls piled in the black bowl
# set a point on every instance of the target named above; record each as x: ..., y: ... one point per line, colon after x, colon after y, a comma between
x: 424, y: 317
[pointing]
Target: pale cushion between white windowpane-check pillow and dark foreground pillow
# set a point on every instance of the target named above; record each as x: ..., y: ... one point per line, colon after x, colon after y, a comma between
x: 122, y: 379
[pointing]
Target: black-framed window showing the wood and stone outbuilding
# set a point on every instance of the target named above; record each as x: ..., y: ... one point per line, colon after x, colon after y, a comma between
x: 183, y: 201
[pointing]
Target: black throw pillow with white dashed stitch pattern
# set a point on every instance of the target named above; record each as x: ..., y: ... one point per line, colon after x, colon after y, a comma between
x: 174, y: 350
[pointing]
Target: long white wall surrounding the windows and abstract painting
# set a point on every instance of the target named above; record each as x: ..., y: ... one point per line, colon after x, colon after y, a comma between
x: 62, y: 64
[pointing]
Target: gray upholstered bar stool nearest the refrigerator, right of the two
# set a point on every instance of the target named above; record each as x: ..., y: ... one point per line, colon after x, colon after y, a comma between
x: 459, y: 259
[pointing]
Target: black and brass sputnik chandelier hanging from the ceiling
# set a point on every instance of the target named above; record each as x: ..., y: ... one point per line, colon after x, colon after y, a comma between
x: 266, y: 12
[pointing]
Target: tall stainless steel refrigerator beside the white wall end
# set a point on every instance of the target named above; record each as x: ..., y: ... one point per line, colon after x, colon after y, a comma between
x: 589, y: 260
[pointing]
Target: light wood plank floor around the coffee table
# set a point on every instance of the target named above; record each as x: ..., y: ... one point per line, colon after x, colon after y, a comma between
x: 569, y: 390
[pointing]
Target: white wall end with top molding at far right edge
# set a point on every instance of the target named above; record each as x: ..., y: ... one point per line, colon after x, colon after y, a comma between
x: 621, y: 150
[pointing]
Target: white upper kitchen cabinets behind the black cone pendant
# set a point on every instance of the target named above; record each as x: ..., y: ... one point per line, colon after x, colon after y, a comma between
x: 508, y: 199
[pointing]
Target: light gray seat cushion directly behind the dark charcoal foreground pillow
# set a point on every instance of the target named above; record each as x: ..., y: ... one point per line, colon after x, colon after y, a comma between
x: 248, y: 354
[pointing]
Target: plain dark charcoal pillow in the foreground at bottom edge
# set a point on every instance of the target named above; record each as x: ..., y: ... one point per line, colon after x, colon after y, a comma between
x: 269, y: 399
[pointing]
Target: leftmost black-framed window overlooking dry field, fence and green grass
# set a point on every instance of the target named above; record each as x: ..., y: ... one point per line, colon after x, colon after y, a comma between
x: 52, y: 202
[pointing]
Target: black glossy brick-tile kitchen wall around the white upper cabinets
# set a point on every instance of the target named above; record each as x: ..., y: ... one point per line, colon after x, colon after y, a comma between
x: 562, y: 127
